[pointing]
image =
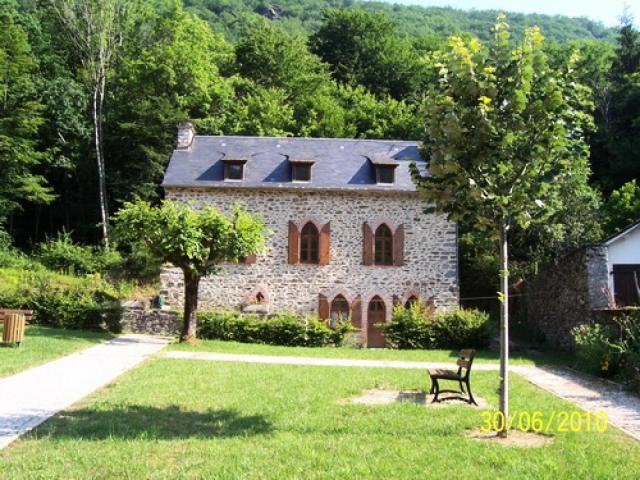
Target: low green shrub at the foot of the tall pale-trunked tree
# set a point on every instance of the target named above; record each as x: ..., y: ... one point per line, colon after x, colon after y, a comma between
x: 63, y: 255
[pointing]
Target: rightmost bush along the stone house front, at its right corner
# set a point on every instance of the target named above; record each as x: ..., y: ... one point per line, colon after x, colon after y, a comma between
x: 461, y: 328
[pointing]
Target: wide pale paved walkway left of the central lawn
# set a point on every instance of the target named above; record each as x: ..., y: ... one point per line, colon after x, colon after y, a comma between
x: 29, y: 398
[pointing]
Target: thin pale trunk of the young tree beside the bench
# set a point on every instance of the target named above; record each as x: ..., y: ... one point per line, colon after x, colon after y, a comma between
x: 504, y: 327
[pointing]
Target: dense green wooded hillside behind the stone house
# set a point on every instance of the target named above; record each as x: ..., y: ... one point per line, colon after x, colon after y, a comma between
x: 356, y: 69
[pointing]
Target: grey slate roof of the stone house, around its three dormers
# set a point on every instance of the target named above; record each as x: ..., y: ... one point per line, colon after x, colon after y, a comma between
x: 339, y: 164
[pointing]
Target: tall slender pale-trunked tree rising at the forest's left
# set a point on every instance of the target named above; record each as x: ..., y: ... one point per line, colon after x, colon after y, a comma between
x: 96, y: 28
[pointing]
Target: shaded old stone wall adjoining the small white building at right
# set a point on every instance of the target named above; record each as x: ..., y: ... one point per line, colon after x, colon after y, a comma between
x: 566, y: 294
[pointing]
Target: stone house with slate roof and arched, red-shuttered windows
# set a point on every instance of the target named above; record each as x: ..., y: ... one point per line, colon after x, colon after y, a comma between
x: 348, y: 231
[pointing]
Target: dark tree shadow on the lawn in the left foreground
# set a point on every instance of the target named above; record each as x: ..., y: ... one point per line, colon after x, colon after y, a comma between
x: 137, y: 421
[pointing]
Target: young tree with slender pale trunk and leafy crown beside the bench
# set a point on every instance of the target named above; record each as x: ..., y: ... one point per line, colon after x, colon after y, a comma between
x: 504, y: 133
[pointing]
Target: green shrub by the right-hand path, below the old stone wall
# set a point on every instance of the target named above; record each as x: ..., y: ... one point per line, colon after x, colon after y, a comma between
x: 596, y: 350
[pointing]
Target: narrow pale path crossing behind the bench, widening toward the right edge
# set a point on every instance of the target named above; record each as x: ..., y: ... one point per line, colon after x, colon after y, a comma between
x: 590, y: 394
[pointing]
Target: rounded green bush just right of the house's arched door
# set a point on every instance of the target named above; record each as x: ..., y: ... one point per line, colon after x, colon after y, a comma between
x: 410, y: 328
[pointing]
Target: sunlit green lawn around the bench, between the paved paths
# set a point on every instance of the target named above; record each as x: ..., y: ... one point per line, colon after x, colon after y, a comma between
x: 196, y: 419
